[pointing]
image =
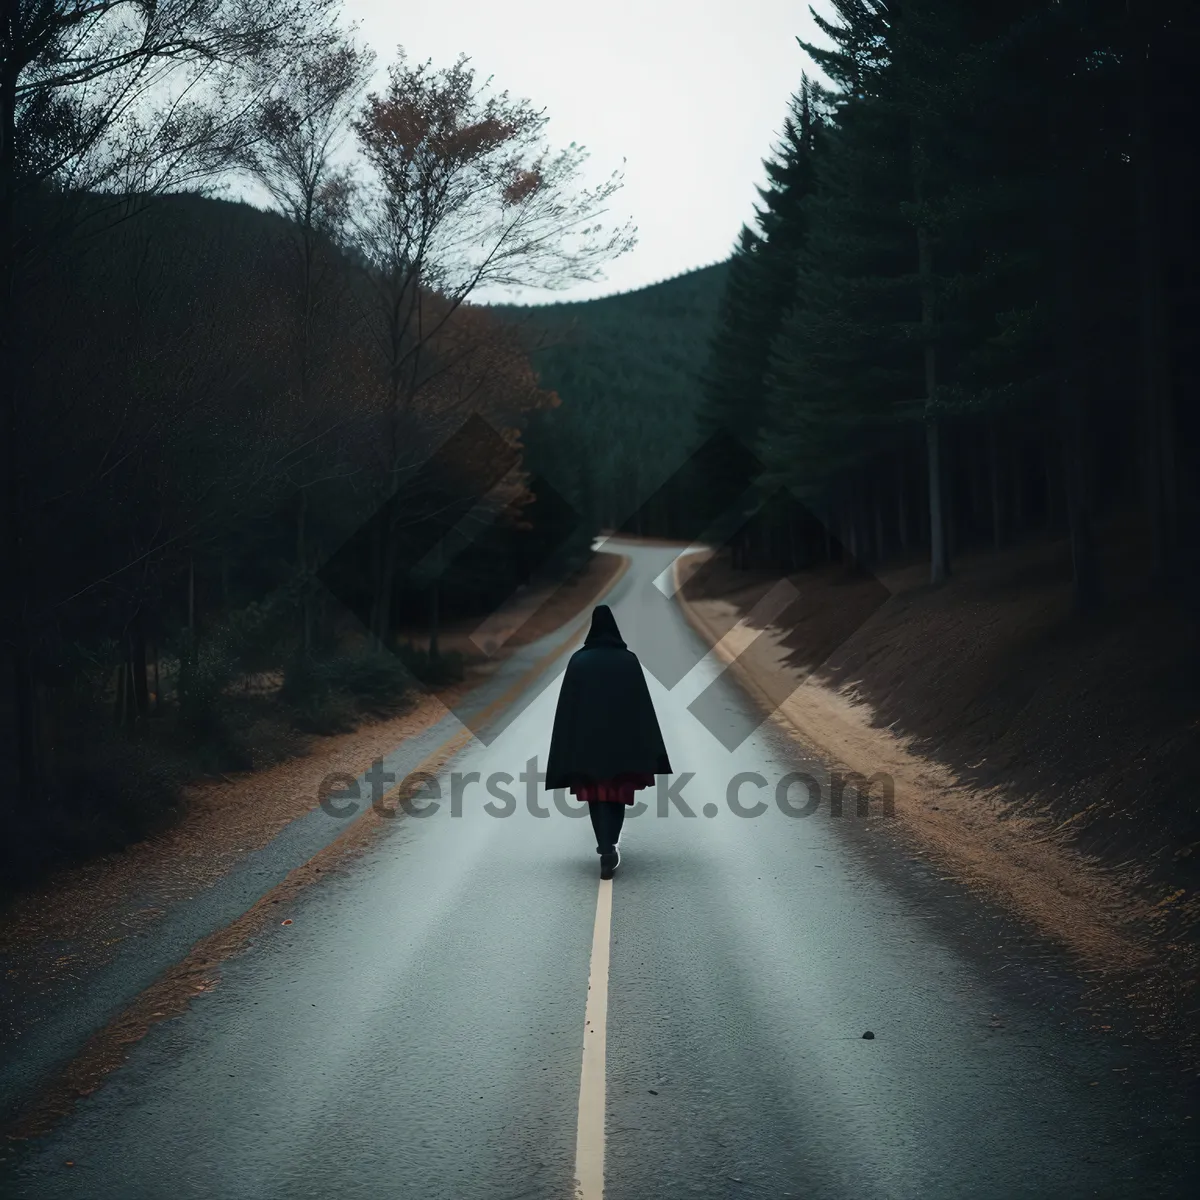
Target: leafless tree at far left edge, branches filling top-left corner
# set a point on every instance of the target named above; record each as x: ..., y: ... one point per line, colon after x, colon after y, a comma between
x: 121, y: 98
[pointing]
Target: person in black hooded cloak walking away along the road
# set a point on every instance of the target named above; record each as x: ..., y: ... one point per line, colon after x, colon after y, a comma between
x: 607, y: 743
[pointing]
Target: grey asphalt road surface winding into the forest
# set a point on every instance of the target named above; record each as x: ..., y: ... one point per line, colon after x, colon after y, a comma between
x: 417, y: 1033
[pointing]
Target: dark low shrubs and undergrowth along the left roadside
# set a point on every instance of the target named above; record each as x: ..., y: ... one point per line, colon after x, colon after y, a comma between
x: 115, y: 783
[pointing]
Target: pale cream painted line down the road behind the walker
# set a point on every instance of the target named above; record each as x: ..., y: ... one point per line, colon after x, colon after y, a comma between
x: 590, y: 1131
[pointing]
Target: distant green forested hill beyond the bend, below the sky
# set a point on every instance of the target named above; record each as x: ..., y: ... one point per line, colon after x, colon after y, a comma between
x: 628, y: 370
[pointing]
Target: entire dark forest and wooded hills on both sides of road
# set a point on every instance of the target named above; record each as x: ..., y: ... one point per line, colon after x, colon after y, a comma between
x: 237, y: 437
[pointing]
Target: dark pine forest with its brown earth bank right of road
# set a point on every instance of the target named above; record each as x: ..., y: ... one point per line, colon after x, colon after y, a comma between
x: 958, y: 353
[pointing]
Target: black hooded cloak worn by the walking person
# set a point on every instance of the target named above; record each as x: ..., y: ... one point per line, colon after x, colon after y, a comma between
x: 605, y: 725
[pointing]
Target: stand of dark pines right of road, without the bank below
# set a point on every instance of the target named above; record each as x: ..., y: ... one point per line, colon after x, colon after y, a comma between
x: 968, y: 310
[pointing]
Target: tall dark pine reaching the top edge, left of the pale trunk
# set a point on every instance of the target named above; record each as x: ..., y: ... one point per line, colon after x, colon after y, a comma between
x: 843, y: 357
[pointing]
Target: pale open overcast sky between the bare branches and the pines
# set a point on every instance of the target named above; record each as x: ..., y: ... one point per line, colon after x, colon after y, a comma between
x: 691, y: 93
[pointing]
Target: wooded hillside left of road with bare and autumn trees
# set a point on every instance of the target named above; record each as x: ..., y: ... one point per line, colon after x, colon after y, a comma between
x: 242, y: 451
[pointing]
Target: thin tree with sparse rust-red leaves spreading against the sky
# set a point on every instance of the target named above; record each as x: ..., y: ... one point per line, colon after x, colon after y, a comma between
x: 465, y: 194
